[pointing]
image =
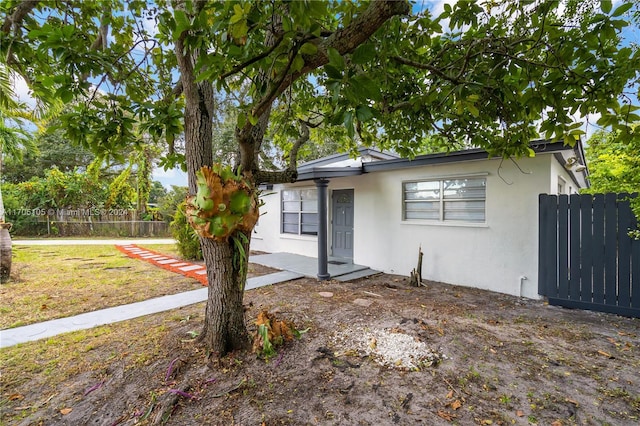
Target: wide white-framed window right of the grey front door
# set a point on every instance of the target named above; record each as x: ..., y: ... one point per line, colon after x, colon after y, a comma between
x: 445, y: 200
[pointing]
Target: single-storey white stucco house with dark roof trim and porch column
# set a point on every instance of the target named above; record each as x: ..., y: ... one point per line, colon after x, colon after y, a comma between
x: 475, y: 218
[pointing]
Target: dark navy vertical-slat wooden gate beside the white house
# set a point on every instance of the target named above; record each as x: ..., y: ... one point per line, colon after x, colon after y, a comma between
x: 587, y: 260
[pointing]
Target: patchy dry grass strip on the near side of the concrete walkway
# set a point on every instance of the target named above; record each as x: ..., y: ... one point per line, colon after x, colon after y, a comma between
x: 80, y: 357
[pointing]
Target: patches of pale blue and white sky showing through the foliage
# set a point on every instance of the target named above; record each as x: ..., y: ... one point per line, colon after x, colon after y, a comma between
x: 178, y: 177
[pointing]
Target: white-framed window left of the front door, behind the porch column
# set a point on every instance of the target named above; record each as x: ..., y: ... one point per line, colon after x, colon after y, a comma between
x: 300, y: 211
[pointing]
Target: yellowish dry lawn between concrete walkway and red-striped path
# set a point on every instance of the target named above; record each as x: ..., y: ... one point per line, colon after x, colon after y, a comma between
x: 58, y: 281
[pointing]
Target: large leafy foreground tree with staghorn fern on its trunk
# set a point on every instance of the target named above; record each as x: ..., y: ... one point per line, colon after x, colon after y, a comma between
x: 493, y: 75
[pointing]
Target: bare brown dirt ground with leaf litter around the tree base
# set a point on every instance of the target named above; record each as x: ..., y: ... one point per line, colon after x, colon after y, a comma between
x: 478, y: 358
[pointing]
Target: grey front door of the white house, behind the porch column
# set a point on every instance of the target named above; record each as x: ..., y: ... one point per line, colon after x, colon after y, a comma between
x: 342, y: 224
